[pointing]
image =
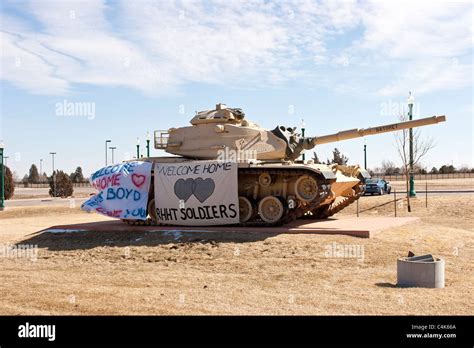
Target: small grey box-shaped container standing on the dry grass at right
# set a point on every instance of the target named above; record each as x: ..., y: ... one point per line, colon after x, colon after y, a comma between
x: 423, y: 271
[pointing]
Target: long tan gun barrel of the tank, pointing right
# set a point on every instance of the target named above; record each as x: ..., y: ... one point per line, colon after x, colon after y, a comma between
x: 362, y: 132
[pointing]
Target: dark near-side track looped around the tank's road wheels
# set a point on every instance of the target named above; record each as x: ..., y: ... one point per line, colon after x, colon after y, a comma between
x: 324, y: 189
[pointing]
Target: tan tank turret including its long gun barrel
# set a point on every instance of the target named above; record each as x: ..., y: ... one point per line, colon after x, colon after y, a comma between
x: 224, y: 131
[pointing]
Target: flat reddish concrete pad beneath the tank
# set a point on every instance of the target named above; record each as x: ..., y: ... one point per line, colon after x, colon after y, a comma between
x: 363, y: 227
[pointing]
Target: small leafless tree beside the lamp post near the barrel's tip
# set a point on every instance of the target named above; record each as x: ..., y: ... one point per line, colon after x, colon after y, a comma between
x: 421, y: 146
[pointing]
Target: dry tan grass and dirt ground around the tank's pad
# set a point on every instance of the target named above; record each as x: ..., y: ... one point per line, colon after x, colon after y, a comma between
x: 255, y: 272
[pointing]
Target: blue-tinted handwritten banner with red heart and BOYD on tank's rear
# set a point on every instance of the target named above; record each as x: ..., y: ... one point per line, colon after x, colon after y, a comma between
x: 123, y: 190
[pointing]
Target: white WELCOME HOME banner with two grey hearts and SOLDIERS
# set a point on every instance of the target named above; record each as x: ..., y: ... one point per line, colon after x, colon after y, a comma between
x: 197, y: 193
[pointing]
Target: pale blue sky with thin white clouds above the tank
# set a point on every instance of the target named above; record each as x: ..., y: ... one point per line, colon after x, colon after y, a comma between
x: 75, y: 73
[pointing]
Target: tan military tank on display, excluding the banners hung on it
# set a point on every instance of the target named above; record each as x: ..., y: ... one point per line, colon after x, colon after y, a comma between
x: 274, y: 186
